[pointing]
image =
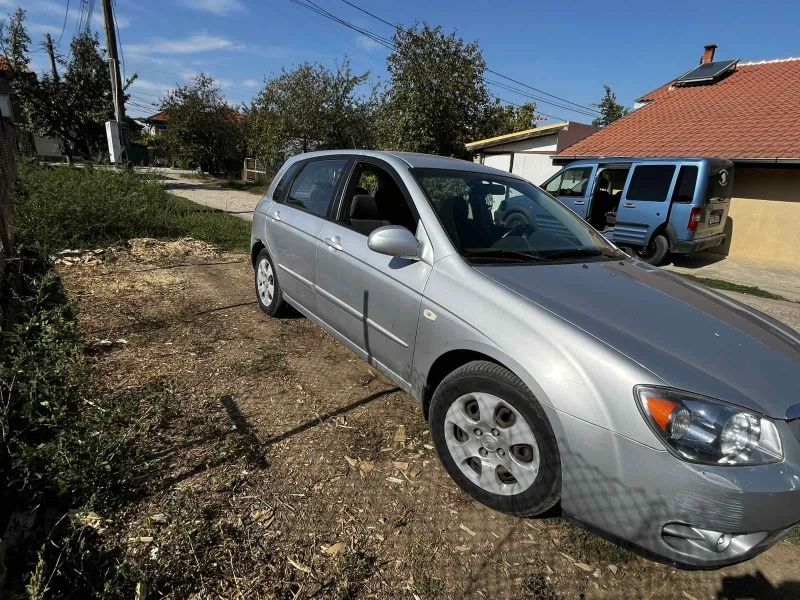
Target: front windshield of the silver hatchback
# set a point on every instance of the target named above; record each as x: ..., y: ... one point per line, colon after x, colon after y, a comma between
x: 491, y: 218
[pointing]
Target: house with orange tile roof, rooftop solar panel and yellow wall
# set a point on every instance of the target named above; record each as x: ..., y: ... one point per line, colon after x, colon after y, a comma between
x: 749, y: 113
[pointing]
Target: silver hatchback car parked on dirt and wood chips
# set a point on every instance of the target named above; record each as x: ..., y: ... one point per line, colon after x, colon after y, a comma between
x: 551, y: 367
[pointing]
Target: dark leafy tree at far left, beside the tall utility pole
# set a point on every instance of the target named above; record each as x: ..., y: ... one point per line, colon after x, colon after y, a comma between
x: 71, y: 108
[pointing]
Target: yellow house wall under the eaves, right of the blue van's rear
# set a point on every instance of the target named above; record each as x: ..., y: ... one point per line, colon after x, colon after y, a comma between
x: 764, y: 217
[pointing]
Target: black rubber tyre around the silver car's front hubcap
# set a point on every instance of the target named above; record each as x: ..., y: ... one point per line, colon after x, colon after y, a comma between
x: 491, y: 378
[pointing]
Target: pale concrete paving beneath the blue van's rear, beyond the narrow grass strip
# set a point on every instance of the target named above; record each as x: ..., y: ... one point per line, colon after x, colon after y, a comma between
x: 777, y: 278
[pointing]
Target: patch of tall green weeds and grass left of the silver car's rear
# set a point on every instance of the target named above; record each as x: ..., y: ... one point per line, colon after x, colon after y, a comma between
x: 61, y: 207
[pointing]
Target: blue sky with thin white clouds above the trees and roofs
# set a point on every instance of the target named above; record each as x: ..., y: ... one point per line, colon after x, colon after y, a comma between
x: 568, y: 48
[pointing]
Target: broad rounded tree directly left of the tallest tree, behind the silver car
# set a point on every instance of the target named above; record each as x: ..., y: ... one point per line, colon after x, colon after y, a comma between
x: 310, y: 108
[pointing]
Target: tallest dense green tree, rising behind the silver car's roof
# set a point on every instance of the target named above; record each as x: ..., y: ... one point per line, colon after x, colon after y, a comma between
x: 437, y: 100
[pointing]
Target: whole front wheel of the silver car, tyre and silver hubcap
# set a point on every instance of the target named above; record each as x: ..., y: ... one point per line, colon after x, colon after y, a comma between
x: 494, y: 439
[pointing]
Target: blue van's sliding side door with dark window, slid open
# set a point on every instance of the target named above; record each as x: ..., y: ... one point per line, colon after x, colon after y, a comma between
x: 645, y: 202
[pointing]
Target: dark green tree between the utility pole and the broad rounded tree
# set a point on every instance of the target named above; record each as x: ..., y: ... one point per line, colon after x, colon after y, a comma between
x: 203, y: 129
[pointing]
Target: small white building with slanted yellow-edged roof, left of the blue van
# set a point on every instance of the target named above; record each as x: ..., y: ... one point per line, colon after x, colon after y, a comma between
x: 529, y: 153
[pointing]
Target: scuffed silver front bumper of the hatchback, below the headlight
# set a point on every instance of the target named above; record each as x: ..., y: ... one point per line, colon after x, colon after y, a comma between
x: 670, y: 510
